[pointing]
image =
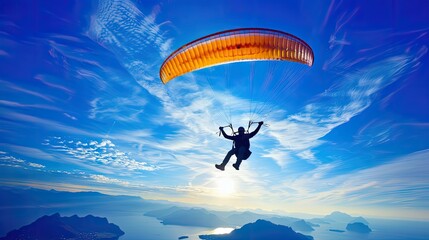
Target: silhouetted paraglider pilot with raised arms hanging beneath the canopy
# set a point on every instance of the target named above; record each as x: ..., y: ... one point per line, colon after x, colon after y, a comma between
x: 240, y: 147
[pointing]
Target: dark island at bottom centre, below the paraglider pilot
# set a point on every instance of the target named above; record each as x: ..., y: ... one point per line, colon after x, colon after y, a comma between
x: 260, y: 230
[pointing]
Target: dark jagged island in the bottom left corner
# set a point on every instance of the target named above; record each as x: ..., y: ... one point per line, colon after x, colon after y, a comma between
x: 72, y: 228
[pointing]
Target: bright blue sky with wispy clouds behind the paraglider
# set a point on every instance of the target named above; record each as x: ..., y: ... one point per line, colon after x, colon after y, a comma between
x: 82, y: 106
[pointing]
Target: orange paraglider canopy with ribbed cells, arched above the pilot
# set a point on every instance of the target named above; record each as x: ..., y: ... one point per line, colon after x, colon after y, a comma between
x: 244, y: 44
